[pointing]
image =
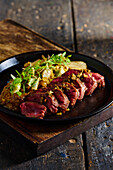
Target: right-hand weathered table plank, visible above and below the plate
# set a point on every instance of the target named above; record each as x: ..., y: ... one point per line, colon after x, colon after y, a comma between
x: 94, y: 33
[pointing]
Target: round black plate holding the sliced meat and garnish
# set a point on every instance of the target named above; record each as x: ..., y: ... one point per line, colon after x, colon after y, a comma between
x: 100, y: 99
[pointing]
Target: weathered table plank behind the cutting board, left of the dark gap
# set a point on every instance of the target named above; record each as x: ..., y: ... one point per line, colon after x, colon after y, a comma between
x: 49, y: 18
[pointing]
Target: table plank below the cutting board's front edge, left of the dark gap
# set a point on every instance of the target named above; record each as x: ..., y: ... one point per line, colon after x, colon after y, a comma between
x: 63, y: 157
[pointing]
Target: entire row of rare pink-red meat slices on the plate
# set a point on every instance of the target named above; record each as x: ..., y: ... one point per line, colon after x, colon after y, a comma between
x: 61, y: 92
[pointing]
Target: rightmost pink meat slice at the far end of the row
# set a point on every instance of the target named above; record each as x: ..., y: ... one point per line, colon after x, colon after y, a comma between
x: 99, y: 78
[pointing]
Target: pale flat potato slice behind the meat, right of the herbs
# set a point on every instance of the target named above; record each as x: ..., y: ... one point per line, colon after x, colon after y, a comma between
x: 79, y: 65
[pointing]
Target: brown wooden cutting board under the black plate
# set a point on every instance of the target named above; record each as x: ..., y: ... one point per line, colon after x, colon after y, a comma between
x: 16, y: 39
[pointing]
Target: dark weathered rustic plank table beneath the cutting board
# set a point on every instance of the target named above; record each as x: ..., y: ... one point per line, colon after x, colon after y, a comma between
x: 83, y: 26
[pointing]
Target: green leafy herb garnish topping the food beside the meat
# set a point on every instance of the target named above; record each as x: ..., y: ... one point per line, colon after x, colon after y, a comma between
x: 32, y: 74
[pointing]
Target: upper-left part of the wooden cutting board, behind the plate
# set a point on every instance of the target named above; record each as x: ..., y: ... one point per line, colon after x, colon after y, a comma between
x: 16, y: 39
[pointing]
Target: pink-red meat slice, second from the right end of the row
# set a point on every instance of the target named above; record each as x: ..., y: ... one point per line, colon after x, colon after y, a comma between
x: 90, y: 82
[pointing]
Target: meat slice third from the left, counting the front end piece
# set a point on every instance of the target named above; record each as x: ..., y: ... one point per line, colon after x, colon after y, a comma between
x: 62, y: 99
